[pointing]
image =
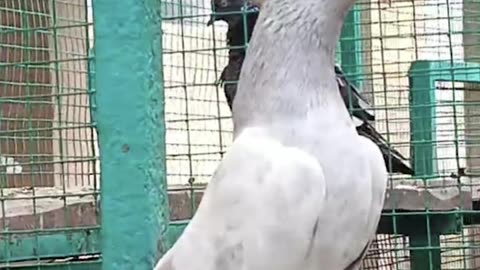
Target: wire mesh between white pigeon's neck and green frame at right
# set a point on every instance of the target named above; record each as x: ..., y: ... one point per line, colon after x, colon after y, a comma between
x: 395, y: 37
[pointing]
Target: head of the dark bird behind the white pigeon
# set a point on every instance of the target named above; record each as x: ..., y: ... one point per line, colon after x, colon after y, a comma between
x: 231, y: 6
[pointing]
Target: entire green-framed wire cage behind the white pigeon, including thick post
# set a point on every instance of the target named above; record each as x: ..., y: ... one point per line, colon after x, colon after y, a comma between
x: 133, y: 99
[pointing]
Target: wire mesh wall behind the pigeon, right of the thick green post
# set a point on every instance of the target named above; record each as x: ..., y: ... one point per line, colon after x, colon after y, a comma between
x: 430, y: 218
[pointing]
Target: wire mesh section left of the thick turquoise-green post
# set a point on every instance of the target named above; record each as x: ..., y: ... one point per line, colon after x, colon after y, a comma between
x: 49, y: 167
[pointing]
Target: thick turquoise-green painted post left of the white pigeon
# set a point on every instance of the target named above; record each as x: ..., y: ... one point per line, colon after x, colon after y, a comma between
x: 131, y: 126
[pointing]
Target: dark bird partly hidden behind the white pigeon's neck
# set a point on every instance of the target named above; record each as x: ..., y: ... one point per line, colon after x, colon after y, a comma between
x: 240, y: 13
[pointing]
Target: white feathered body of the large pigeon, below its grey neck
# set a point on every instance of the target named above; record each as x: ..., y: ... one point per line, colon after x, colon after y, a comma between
x: 260, y: 209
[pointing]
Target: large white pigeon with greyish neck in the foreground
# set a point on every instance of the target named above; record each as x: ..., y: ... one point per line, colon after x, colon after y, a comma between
x: 299, y: 189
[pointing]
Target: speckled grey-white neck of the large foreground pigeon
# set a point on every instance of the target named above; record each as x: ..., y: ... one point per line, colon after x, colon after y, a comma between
x: 288, y: 72
